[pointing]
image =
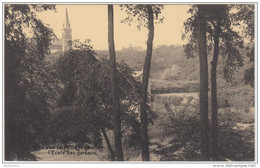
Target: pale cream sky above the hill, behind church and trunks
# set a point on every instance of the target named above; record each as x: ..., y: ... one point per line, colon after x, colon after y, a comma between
x: 90, y: 22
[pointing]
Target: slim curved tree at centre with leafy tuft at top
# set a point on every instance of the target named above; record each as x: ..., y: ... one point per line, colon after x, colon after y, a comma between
x: 145, y: 17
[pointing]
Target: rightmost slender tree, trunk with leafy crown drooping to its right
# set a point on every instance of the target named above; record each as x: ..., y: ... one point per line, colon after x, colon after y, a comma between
x: 229, y: 43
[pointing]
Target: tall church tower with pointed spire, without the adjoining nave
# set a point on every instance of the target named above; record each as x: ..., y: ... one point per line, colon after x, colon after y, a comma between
x: 66, y: 34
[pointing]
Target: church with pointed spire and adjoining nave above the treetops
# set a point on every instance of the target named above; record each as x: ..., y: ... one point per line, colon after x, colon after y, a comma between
x: 61, y: 45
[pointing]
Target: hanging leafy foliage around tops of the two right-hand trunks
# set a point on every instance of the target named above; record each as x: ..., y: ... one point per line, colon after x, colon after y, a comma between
x: 231, y: 42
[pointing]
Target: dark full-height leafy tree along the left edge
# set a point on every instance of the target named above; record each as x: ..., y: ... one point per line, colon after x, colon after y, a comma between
x: 28, y: 83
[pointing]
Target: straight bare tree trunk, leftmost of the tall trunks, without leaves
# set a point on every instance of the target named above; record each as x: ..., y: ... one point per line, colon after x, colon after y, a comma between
x: 116, y: 106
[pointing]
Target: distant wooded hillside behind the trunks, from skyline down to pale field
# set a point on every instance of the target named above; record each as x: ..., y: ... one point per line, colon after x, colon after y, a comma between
x: 171, y: 71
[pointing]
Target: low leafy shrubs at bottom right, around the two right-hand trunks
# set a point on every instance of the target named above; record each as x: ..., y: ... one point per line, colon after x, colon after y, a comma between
x: 181, y: 123
